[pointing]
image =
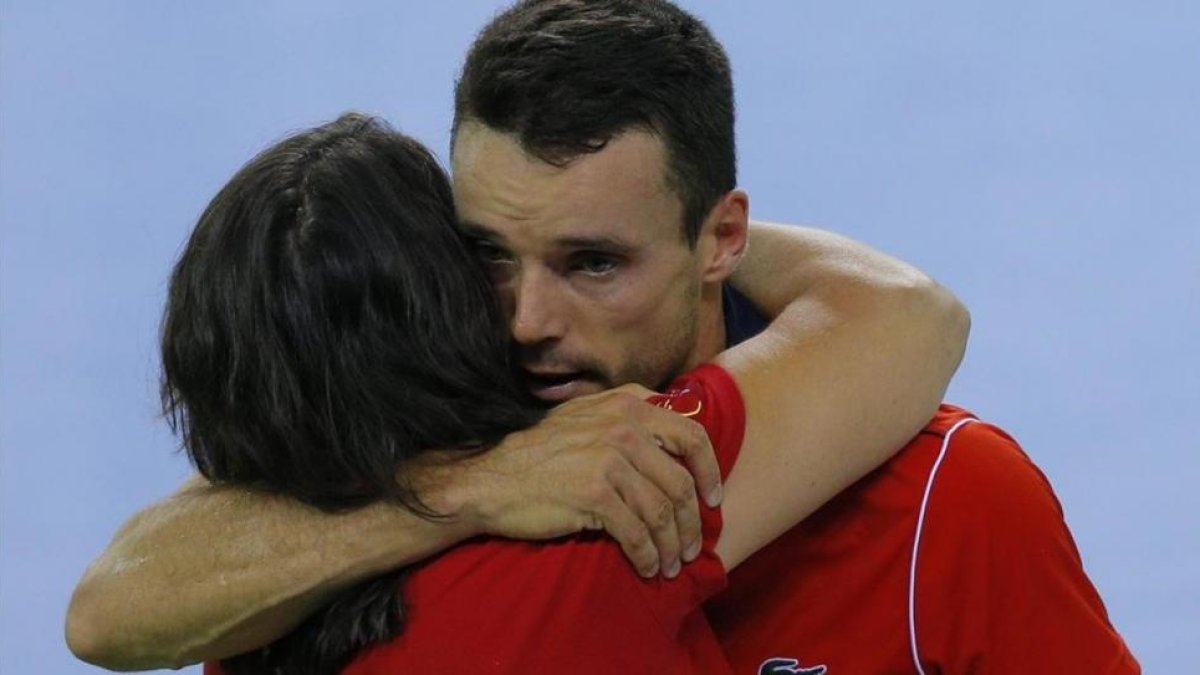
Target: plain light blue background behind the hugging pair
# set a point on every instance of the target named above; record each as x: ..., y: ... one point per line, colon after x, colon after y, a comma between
x: 1040, y: 158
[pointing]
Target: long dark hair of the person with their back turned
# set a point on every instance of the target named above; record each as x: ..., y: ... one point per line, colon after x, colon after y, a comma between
x: 326, y: 325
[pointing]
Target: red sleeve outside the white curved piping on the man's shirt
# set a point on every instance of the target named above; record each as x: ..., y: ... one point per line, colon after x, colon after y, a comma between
x: 1000, y: 583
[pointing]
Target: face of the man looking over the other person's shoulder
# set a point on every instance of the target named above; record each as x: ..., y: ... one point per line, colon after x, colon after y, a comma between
x: 590, y: 260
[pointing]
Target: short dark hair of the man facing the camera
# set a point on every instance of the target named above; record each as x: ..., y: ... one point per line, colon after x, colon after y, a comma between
x: 567, y: 76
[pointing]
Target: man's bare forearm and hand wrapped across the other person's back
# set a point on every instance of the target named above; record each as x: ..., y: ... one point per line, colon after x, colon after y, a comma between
x: 217, y: 571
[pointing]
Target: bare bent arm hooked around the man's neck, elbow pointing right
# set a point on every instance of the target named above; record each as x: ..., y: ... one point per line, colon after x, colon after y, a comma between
x: 855, y: 365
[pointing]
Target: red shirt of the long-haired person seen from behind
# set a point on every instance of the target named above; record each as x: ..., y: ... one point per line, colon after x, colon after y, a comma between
x: 574, y: 605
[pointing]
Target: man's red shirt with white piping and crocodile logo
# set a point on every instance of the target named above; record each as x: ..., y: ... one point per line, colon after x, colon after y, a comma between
x: 993, y: 580
